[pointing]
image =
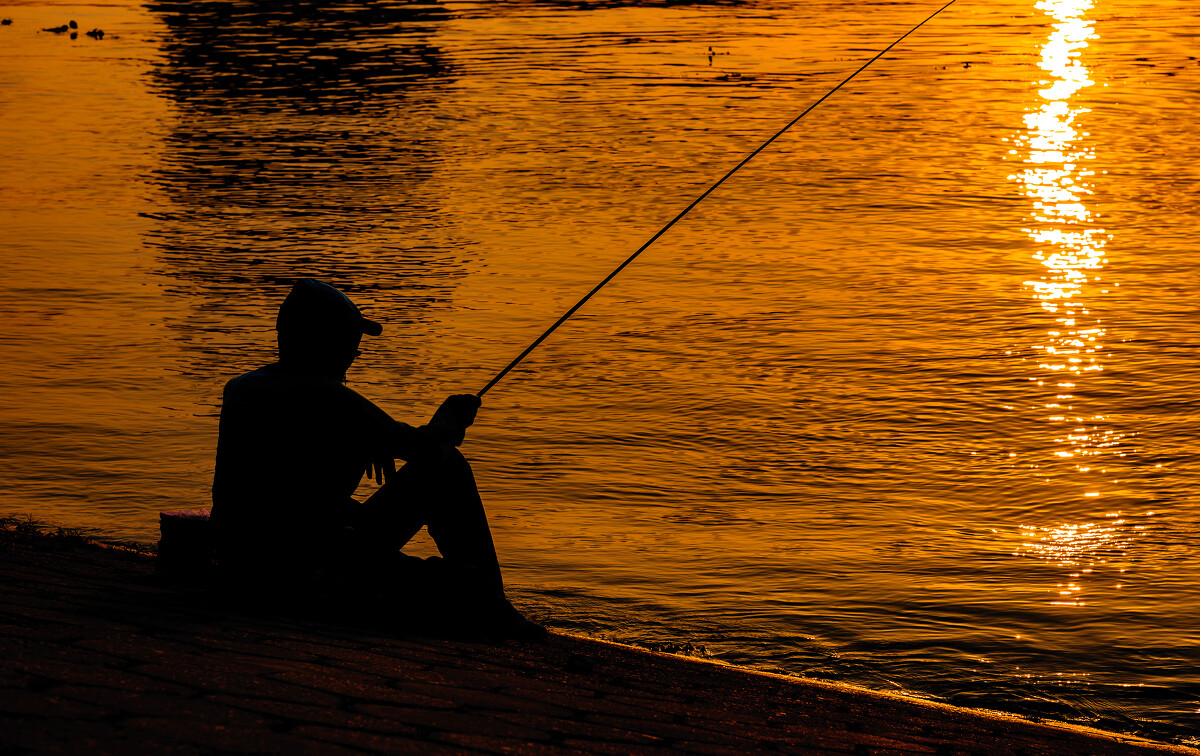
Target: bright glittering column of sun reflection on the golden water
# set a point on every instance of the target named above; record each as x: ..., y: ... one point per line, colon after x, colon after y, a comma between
x: 1071, y: 254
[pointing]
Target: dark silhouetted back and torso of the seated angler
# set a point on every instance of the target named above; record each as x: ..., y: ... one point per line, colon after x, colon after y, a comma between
x: 291, y: 453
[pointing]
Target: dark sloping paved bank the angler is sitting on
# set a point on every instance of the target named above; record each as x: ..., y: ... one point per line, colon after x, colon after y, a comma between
x: 97, y: 656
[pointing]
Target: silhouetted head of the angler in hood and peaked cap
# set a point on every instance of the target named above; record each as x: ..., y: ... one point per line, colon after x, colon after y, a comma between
x: 320, y: 329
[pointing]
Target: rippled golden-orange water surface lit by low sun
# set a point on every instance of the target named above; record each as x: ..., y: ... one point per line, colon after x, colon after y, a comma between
x: 909, y: 403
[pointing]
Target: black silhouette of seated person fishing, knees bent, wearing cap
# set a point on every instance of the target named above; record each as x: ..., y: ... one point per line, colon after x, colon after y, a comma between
x: 293, y: 446
